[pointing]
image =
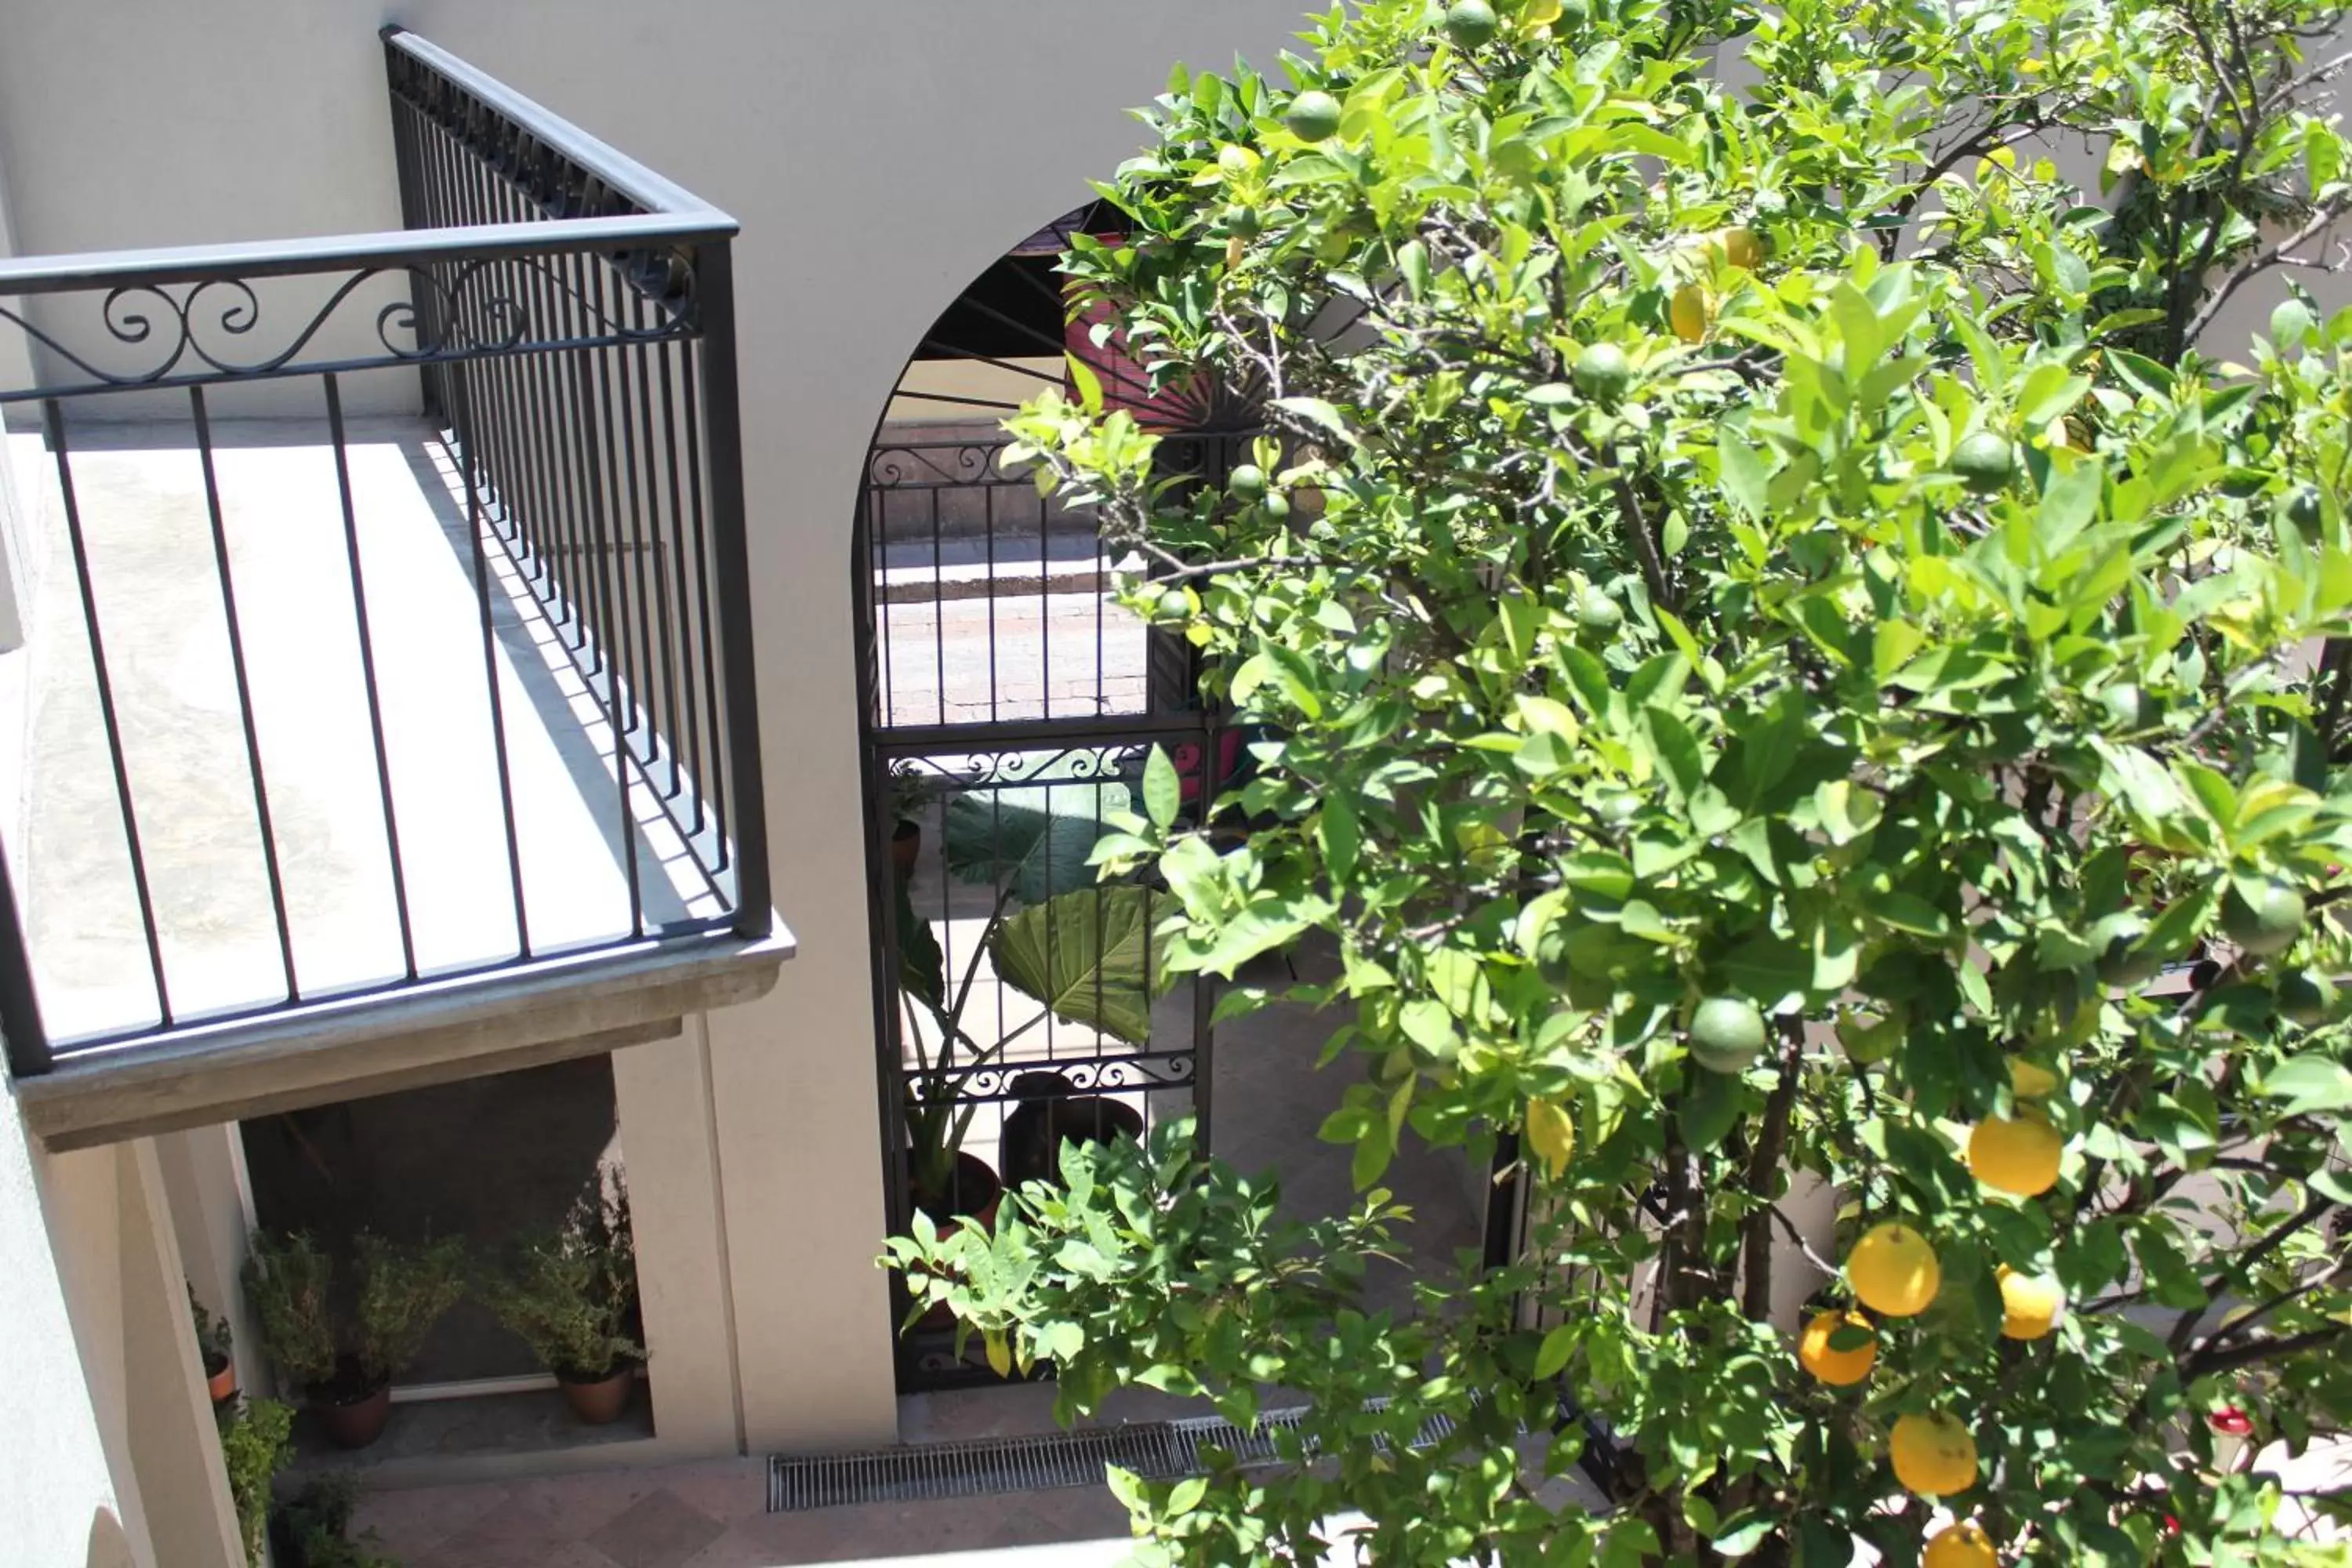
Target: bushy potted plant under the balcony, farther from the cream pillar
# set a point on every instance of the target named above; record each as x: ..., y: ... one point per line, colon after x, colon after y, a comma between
x: 345, y: 1346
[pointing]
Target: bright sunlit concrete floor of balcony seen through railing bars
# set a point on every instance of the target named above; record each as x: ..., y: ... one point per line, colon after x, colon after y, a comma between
x: 187, y: 760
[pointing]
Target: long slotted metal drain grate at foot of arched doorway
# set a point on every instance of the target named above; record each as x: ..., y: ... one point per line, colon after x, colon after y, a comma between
x: 916, y: 1473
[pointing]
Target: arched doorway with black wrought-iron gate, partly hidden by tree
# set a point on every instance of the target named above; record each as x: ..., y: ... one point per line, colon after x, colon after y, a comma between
x: 1008, y: 709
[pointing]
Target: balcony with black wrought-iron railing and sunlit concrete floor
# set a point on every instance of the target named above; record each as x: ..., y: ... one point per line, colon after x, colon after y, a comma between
x: 389, y: 692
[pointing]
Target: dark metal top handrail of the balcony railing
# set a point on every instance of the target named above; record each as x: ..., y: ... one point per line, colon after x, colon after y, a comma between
x: 674, y: 215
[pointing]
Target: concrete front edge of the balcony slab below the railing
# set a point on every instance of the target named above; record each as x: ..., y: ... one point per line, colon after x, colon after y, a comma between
x: 432, y: 1033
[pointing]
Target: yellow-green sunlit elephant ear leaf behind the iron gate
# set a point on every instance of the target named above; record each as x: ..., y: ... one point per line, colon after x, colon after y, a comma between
x: 1090, y: 958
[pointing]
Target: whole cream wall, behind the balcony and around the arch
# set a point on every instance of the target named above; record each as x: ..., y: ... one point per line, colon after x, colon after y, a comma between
x: 878, y: 159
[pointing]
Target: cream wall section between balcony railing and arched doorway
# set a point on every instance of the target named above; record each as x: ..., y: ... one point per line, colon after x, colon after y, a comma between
x: 878, y: 159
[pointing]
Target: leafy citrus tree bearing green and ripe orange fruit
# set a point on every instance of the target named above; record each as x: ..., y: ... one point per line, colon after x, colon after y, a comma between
x: 1791, y: 636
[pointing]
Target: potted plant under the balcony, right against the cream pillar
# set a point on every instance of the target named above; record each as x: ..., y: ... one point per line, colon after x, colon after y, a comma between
x: 573, y: 1296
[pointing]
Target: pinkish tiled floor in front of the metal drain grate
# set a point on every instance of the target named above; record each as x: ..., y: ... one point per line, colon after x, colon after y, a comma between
x: 711, y: 1517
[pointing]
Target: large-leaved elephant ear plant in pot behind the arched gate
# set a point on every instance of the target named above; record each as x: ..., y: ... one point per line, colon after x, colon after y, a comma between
x: 1078, y: 951
